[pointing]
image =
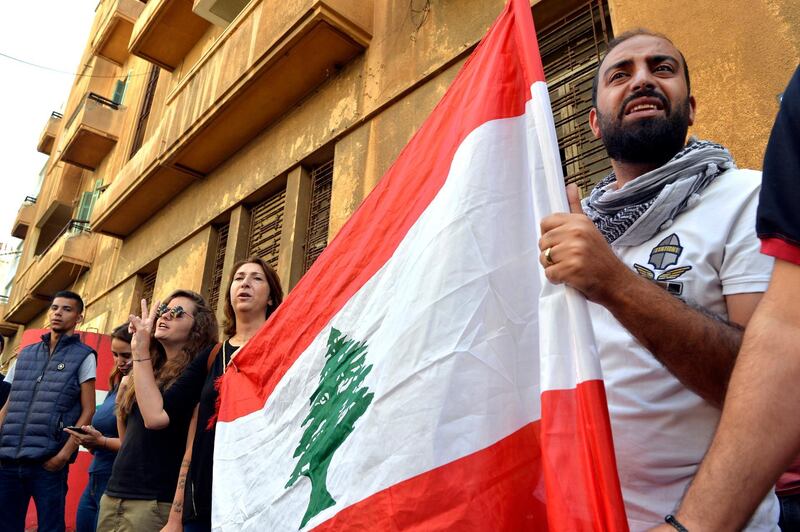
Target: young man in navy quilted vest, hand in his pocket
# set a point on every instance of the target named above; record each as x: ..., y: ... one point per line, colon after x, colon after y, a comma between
x: 52, y: 387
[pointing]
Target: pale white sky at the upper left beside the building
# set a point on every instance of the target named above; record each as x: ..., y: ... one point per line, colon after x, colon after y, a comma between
x: 50, y: 33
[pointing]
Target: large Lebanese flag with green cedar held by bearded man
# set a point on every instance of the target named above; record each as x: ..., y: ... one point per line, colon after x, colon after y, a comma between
x: 423, y: 375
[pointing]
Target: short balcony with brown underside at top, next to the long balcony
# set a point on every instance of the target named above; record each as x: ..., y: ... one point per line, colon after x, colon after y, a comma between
x: 165, y: 32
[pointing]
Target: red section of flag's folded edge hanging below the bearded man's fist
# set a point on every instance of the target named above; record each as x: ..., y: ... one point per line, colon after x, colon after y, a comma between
x: 580, y: 470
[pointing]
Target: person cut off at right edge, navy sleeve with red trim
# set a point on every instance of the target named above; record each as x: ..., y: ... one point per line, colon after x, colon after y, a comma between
x: 759, y: 433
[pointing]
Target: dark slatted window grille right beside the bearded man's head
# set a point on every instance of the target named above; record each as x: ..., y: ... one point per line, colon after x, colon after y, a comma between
x: 571, y: 49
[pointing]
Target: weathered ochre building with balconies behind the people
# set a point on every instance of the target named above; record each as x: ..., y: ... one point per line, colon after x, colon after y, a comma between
x: 199, y: 132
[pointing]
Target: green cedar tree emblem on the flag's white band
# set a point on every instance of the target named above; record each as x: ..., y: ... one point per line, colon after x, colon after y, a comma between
x: 336, y: 404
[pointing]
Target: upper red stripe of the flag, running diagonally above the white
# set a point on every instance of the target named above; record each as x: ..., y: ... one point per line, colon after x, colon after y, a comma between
x: 493, y: 84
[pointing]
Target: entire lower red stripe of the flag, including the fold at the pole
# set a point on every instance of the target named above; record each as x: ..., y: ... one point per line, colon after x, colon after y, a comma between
x: 509, y: 485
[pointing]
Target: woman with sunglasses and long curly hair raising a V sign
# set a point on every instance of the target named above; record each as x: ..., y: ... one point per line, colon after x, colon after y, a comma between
x: 145, y: 472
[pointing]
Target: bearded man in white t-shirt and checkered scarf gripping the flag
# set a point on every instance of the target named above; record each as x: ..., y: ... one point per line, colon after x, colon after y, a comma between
x: 664, y: 250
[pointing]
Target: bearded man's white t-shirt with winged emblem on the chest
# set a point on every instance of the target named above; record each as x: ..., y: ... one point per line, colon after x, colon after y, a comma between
x: 661, y: 429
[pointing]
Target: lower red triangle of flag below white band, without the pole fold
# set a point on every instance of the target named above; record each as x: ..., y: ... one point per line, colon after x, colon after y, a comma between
x: 497, y: 488
